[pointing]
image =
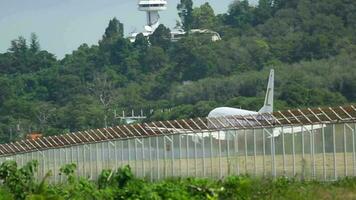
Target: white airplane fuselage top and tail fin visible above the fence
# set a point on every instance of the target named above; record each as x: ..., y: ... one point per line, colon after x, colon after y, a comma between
x: 267, y: 107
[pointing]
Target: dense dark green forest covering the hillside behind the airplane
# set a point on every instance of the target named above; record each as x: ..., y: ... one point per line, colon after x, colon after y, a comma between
x: 310, y: 44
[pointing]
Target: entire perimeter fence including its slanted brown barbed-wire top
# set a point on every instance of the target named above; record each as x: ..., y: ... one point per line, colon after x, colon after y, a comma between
x: 316, y: 144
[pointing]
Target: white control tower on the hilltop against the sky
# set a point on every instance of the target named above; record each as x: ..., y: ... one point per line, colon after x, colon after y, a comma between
x: 152, y: 7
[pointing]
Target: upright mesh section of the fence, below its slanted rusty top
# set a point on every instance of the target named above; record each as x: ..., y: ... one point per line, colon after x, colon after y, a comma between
x: 319, y: 151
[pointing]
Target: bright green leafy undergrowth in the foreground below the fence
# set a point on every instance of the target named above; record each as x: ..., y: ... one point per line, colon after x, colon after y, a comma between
x: 20, y: 184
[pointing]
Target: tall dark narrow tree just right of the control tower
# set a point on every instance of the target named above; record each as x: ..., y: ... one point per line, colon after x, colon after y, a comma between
x: 185, y: 12
